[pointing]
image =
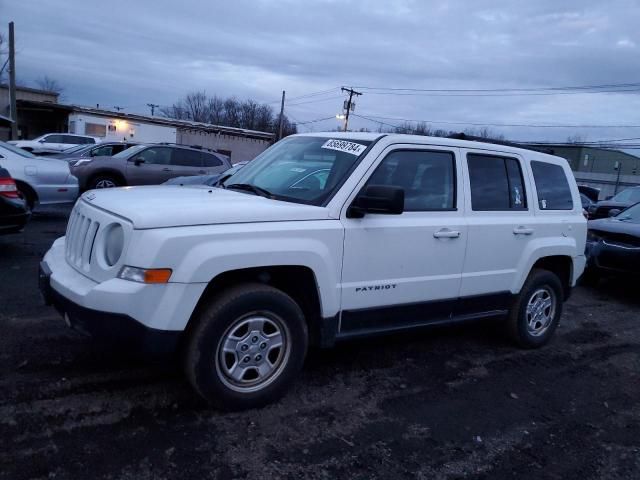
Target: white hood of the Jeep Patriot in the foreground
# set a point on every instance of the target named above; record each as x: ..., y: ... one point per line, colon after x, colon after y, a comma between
x: 178, y: 206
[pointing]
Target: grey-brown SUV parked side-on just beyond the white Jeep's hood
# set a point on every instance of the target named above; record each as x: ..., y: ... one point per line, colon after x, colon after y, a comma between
x: 147, y: 164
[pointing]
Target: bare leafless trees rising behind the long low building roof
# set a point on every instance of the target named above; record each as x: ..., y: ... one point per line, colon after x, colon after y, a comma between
x: 230, y: 112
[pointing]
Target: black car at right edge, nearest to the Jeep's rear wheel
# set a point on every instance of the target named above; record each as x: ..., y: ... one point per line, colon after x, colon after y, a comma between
x: 613, y: 244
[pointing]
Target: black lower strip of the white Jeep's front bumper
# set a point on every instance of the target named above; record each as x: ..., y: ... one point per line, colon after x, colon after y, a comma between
x: 109, y: 327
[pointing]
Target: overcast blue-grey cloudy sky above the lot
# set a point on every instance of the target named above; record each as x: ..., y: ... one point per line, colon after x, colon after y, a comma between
x: 129, y: 53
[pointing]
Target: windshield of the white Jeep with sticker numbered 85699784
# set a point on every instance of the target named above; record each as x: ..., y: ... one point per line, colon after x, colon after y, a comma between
x: 302, y: 169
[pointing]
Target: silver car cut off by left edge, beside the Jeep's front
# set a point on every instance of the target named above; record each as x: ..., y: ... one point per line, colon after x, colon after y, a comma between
x: 42, y: 180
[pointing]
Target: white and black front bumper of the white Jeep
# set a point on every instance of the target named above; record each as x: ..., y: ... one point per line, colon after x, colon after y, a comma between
x: 150, y: 317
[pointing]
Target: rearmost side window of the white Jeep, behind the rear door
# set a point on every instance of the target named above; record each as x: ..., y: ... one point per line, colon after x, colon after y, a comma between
x: 552, y: 186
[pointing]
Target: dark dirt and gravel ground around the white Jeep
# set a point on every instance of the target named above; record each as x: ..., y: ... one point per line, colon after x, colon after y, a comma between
x: 445, y: 403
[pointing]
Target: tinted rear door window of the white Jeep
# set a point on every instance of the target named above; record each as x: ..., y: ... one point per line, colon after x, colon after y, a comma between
x: 496, y: 183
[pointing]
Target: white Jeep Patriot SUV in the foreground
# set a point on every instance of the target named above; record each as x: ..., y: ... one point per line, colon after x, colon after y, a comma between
x: 322, y: 238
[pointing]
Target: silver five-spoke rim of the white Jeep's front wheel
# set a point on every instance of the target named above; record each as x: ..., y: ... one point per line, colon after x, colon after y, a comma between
x: 253, y: 352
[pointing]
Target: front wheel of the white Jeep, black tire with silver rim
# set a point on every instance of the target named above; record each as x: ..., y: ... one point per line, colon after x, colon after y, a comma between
x: 207, y: 363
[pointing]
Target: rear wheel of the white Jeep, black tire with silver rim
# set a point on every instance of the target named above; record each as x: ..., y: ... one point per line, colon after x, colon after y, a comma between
x: 527, y: 330
